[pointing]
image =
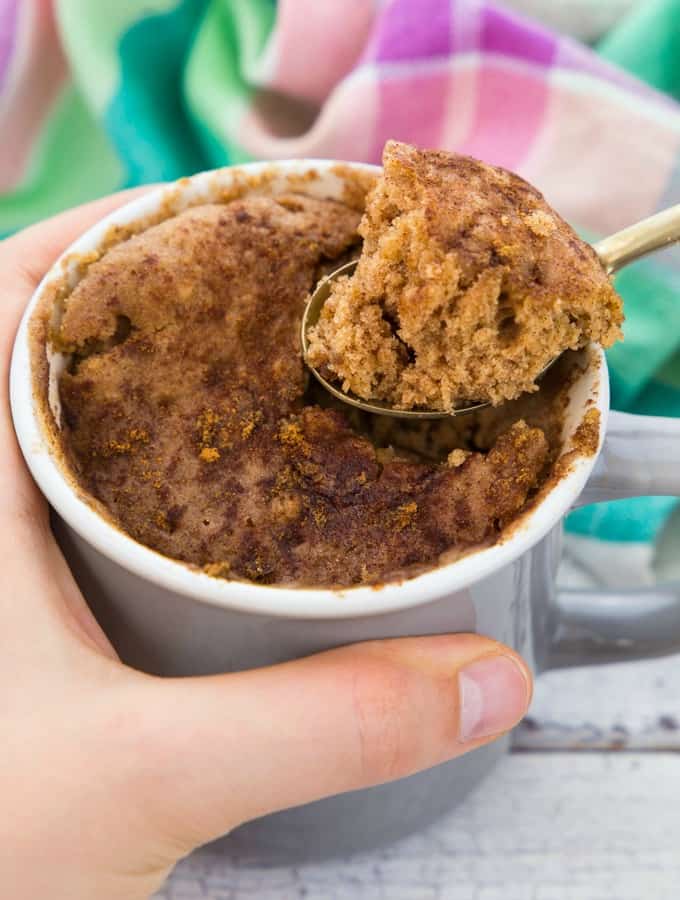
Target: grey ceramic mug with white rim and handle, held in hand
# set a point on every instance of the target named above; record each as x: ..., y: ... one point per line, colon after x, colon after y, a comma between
x: 167, y: 619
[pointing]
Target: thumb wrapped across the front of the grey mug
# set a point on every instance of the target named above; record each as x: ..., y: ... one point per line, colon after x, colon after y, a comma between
x: 234, y: 747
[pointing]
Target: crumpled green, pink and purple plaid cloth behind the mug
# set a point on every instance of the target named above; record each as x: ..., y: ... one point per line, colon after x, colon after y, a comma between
x: 98, y: 96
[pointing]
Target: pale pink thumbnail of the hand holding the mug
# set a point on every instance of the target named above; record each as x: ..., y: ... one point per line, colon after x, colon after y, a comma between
x: 494, y: 694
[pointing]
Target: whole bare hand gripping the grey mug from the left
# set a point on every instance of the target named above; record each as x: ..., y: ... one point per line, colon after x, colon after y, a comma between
x: 108, y: 775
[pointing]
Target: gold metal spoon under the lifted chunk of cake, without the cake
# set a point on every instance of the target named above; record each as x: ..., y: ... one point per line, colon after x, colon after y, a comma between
x: 614, y: 252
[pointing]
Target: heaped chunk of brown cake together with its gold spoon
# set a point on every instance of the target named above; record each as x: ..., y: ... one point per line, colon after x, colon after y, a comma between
x: 468, y: 287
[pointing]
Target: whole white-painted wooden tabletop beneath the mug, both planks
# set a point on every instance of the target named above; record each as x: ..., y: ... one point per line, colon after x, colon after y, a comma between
x: 587, y: 807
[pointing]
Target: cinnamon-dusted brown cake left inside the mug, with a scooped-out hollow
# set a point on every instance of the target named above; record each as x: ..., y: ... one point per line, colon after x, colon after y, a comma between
x: 185, y: 413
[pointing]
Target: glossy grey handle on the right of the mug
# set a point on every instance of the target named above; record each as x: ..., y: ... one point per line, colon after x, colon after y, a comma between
x: 640, y: 457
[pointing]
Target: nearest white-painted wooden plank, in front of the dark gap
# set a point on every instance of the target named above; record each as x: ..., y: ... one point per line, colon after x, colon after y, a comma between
x: 544, y: 826
